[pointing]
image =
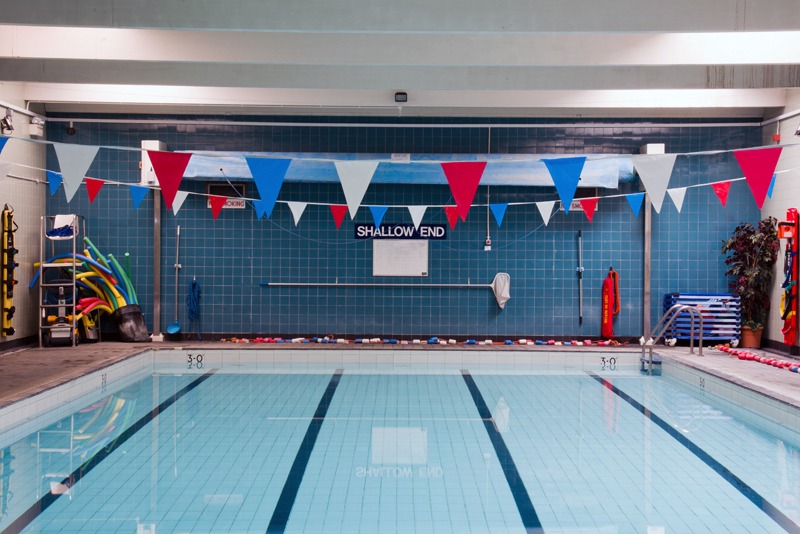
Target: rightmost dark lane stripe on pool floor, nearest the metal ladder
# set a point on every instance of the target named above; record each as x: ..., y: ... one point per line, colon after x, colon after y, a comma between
x: 767, y: 507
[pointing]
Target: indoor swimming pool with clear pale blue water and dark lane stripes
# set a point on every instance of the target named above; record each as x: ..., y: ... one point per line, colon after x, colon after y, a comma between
x: 266, y: 441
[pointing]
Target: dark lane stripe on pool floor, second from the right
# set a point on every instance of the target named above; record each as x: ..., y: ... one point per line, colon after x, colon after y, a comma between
x: 526, y: 510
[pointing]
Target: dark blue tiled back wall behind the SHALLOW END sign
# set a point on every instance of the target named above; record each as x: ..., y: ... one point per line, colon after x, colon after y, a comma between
x: 235, y: 255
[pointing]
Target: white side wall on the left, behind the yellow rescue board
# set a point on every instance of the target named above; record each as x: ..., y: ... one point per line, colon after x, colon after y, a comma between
x: 25, y: 189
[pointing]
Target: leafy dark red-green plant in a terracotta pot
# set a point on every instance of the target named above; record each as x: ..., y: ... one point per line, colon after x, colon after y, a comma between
x: 751, y: 255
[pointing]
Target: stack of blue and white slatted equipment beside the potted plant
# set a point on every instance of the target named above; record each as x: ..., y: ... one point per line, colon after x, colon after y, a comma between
x: 721, y: 316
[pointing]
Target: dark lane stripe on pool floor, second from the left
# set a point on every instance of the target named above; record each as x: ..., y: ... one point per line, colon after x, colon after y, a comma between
x: 285, y: 502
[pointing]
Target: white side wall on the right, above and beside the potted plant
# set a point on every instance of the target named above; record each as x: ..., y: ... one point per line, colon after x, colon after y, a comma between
x: 786, y: 195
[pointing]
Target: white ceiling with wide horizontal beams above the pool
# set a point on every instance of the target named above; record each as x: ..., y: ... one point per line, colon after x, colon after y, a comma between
x: 643, y: 58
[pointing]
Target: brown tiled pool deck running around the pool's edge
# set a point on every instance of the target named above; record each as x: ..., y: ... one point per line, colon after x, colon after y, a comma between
x: 28, y: 371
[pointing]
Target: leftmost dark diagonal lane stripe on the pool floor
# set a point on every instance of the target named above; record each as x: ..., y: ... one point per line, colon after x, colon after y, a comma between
x: 49, y: 498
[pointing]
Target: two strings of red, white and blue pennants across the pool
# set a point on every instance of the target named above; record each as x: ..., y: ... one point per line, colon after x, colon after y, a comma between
x: 463, y: 177
